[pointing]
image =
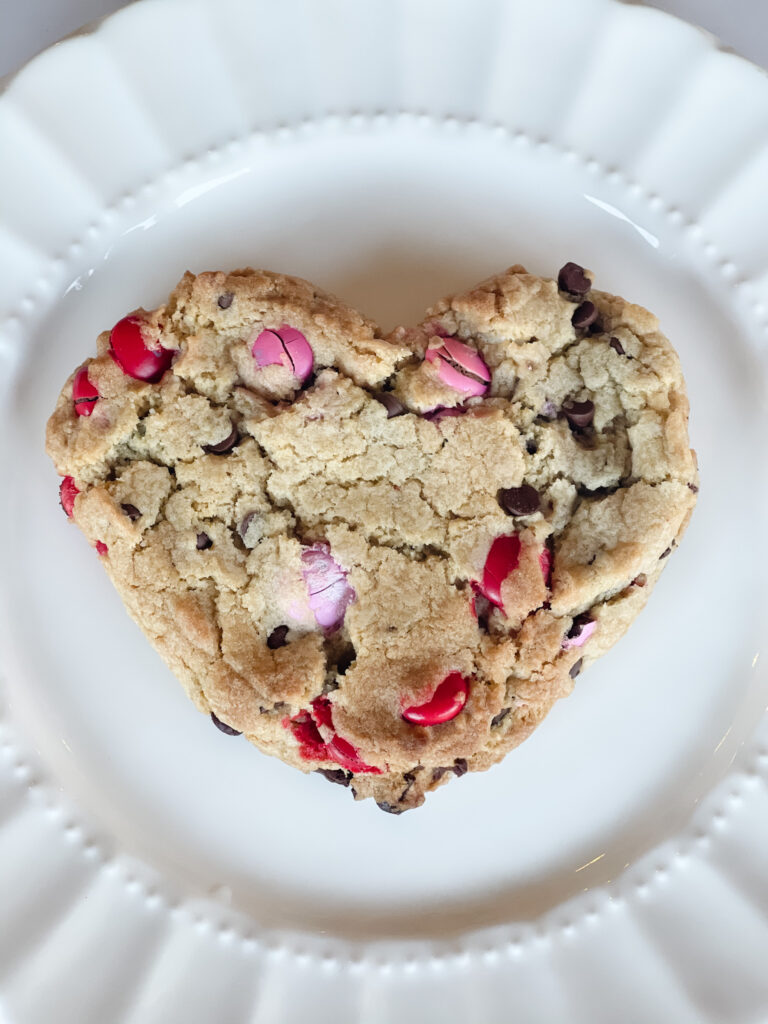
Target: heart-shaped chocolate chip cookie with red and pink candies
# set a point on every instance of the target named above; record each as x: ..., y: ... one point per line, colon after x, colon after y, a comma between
x: 381, y: 559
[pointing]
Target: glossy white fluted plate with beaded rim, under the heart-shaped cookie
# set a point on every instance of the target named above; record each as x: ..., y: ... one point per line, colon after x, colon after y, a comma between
x: 616, y: 867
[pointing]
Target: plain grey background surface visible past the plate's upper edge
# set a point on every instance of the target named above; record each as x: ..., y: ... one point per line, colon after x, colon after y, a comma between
x: 29, y: 26
